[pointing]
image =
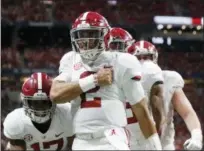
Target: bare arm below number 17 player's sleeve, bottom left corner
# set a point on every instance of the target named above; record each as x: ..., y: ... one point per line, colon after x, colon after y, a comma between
x: 16, y: 144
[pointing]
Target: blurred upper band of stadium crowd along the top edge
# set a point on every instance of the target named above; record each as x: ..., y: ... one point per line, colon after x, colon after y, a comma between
x: 116, y: 11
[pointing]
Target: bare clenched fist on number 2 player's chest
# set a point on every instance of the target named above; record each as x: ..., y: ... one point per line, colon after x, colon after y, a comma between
x: 105, y: 76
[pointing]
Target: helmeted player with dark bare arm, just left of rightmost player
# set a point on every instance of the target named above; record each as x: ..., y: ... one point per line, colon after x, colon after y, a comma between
x: 152, y: 77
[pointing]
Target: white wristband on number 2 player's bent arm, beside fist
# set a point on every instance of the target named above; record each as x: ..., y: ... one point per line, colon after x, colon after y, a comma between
x: 88, y: 83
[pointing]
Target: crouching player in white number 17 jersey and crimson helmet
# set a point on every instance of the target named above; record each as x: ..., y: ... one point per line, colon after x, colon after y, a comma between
x: 39, y: 125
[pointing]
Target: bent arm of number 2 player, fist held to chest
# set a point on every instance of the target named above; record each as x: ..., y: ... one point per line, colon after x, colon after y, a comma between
x: 62, y: 91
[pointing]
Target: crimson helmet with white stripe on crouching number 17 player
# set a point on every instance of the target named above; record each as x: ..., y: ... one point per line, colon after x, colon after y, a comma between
x: 35, y: 97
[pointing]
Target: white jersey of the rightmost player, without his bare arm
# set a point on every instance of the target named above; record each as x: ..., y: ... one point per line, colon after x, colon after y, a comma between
x: 172, y: 81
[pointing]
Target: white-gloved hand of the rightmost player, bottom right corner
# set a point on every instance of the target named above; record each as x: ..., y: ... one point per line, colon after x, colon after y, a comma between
x: 193, y: 144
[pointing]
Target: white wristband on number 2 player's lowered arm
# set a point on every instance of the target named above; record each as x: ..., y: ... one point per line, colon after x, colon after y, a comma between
x: 154, y: 142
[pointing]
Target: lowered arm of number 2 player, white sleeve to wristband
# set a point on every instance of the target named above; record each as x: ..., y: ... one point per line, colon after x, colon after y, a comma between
x: 134, y: 93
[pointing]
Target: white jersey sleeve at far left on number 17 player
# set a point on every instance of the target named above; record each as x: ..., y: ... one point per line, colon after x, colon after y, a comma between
x: 13, y: 128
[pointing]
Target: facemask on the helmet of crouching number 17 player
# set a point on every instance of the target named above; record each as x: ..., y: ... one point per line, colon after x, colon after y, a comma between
x: 38, y: 109
